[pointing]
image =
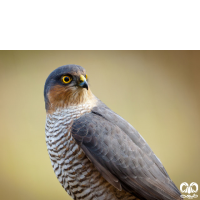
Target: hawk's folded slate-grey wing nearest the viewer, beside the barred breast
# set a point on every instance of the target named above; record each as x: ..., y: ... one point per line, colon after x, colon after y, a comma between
x: 120, y: 160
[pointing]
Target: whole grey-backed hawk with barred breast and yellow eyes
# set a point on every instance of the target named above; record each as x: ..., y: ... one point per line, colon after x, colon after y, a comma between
x: 95, y: 153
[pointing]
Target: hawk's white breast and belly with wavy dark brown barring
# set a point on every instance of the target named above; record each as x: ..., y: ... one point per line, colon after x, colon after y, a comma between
x: 75, y: 172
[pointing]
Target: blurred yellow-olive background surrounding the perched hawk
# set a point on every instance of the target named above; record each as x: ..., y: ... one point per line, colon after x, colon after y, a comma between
x: 158, y: 92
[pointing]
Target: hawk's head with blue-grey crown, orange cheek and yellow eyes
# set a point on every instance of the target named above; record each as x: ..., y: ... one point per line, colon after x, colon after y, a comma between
x: 66, y: 86
